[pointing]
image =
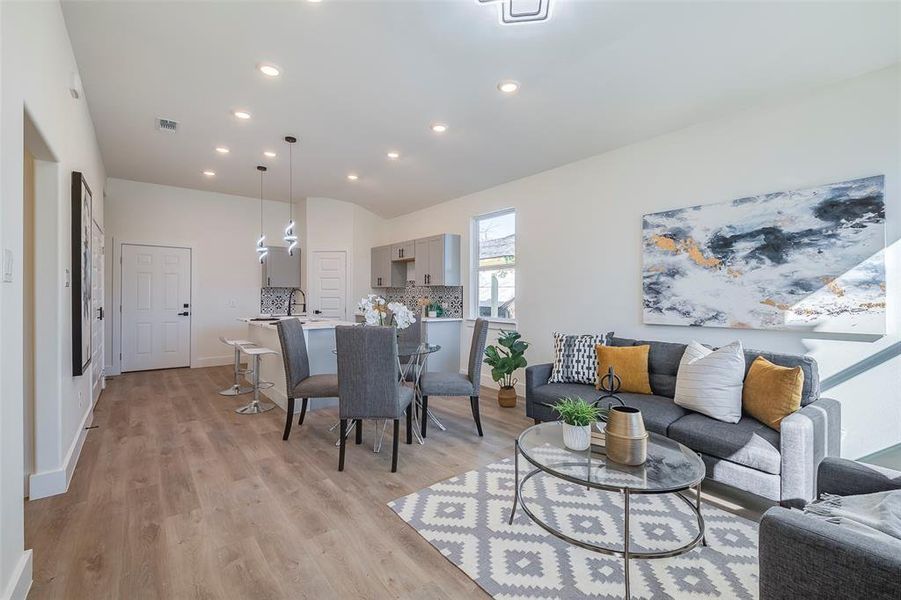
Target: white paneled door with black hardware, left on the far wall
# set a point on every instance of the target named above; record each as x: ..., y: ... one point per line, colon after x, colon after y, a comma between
x: 156, y: 307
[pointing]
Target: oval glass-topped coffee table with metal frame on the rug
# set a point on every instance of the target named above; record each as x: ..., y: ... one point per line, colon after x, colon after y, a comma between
x: 671, y: 468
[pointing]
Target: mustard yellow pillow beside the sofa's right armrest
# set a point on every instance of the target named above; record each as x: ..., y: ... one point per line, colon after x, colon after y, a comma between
x: 771, y: 392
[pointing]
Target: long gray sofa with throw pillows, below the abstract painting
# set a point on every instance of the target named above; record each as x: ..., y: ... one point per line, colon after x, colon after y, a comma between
x: 779, y: 465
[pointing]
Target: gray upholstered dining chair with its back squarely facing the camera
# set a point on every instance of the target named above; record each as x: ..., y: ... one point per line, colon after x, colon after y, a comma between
x: 368, y: 383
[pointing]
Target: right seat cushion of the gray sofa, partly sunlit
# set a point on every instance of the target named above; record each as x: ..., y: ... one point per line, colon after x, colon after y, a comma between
x: 748, y: 442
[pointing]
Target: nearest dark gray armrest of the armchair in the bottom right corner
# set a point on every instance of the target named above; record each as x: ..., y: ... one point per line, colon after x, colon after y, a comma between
x: 805, y: 557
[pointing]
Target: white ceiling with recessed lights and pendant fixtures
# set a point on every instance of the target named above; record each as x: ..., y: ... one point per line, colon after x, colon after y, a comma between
x: 362, y: 77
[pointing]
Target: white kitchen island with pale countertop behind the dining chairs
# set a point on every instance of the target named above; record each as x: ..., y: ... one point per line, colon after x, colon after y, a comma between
x: 319, y: 335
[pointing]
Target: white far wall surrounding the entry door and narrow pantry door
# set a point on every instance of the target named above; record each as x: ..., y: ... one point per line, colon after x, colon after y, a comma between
x: 221, y: 230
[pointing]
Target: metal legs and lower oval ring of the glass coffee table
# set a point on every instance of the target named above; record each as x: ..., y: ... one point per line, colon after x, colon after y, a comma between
x: 694, y: 504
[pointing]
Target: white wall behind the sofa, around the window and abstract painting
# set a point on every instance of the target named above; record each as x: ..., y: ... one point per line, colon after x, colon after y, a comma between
x: 579, y: 229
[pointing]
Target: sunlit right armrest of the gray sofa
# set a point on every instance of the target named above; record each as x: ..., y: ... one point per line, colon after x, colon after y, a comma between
x: 806, y: 438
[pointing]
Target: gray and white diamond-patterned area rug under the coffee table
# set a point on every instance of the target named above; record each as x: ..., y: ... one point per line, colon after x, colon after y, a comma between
x: 465, y: 518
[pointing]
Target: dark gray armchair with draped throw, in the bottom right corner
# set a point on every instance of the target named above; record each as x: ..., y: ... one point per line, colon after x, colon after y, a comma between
x: 806, y: 557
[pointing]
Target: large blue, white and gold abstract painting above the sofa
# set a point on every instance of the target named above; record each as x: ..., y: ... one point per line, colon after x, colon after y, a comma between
x: 810, y: 259
